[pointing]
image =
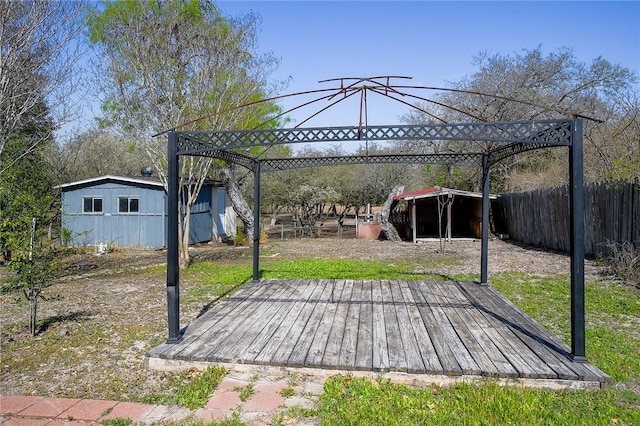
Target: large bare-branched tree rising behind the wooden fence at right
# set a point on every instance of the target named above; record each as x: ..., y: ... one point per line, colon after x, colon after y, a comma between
x: 533, y: 86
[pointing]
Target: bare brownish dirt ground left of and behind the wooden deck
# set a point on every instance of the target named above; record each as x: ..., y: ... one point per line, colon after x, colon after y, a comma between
x: 102, y: 319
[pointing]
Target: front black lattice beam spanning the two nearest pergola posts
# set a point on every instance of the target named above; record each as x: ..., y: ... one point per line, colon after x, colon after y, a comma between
x: 546, y: 132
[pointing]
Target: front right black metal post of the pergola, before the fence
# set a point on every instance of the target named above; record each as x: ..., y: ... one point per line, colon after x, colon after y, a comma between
x: 576, y: 188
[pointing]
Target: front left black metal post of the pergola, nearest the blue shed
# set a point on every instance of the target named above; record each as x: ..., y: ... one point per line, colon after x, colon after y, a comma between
x: 173, y: 269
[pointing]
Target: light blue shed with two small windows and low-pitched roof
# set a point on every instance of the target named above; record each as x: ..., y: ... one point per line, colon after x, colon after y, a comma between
x: 132, y: 212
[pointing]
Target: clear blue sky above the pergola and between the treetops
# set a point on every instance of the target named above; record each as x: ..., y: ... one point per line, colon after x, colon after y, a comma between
x: 433, y: 42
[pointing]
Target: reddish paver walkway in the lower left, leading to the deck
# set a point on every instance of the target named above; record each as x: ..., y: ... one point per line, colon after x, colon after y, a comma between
x: 267, y: 402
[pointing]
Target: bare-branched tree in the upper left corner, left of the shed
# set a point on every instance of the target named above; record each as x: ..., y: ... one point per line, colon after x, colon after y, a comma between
x: 40, y: 48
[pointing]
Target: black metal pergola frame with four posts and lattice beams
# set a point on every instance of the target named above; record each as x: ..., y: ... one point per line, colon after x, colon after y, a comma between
x: 506, y: 139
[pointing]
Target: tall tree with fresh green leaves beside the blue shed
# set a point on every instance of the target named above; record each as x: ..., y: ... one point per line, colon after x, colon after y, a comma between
x: 169, y: 62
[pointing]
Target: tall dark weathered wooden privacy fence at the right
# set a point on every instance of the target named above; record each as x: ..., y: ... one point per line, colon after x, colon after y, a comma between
x: 541, y: 218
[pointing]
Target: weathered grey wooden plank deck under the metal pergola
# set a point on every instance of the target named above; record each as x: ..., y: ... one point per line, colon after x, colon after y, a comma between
x: 442, y: 328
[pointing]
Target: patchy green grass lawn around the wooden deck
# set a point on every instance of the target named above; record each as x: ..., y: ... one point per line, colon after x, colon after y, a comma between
x: 613, y: 345
